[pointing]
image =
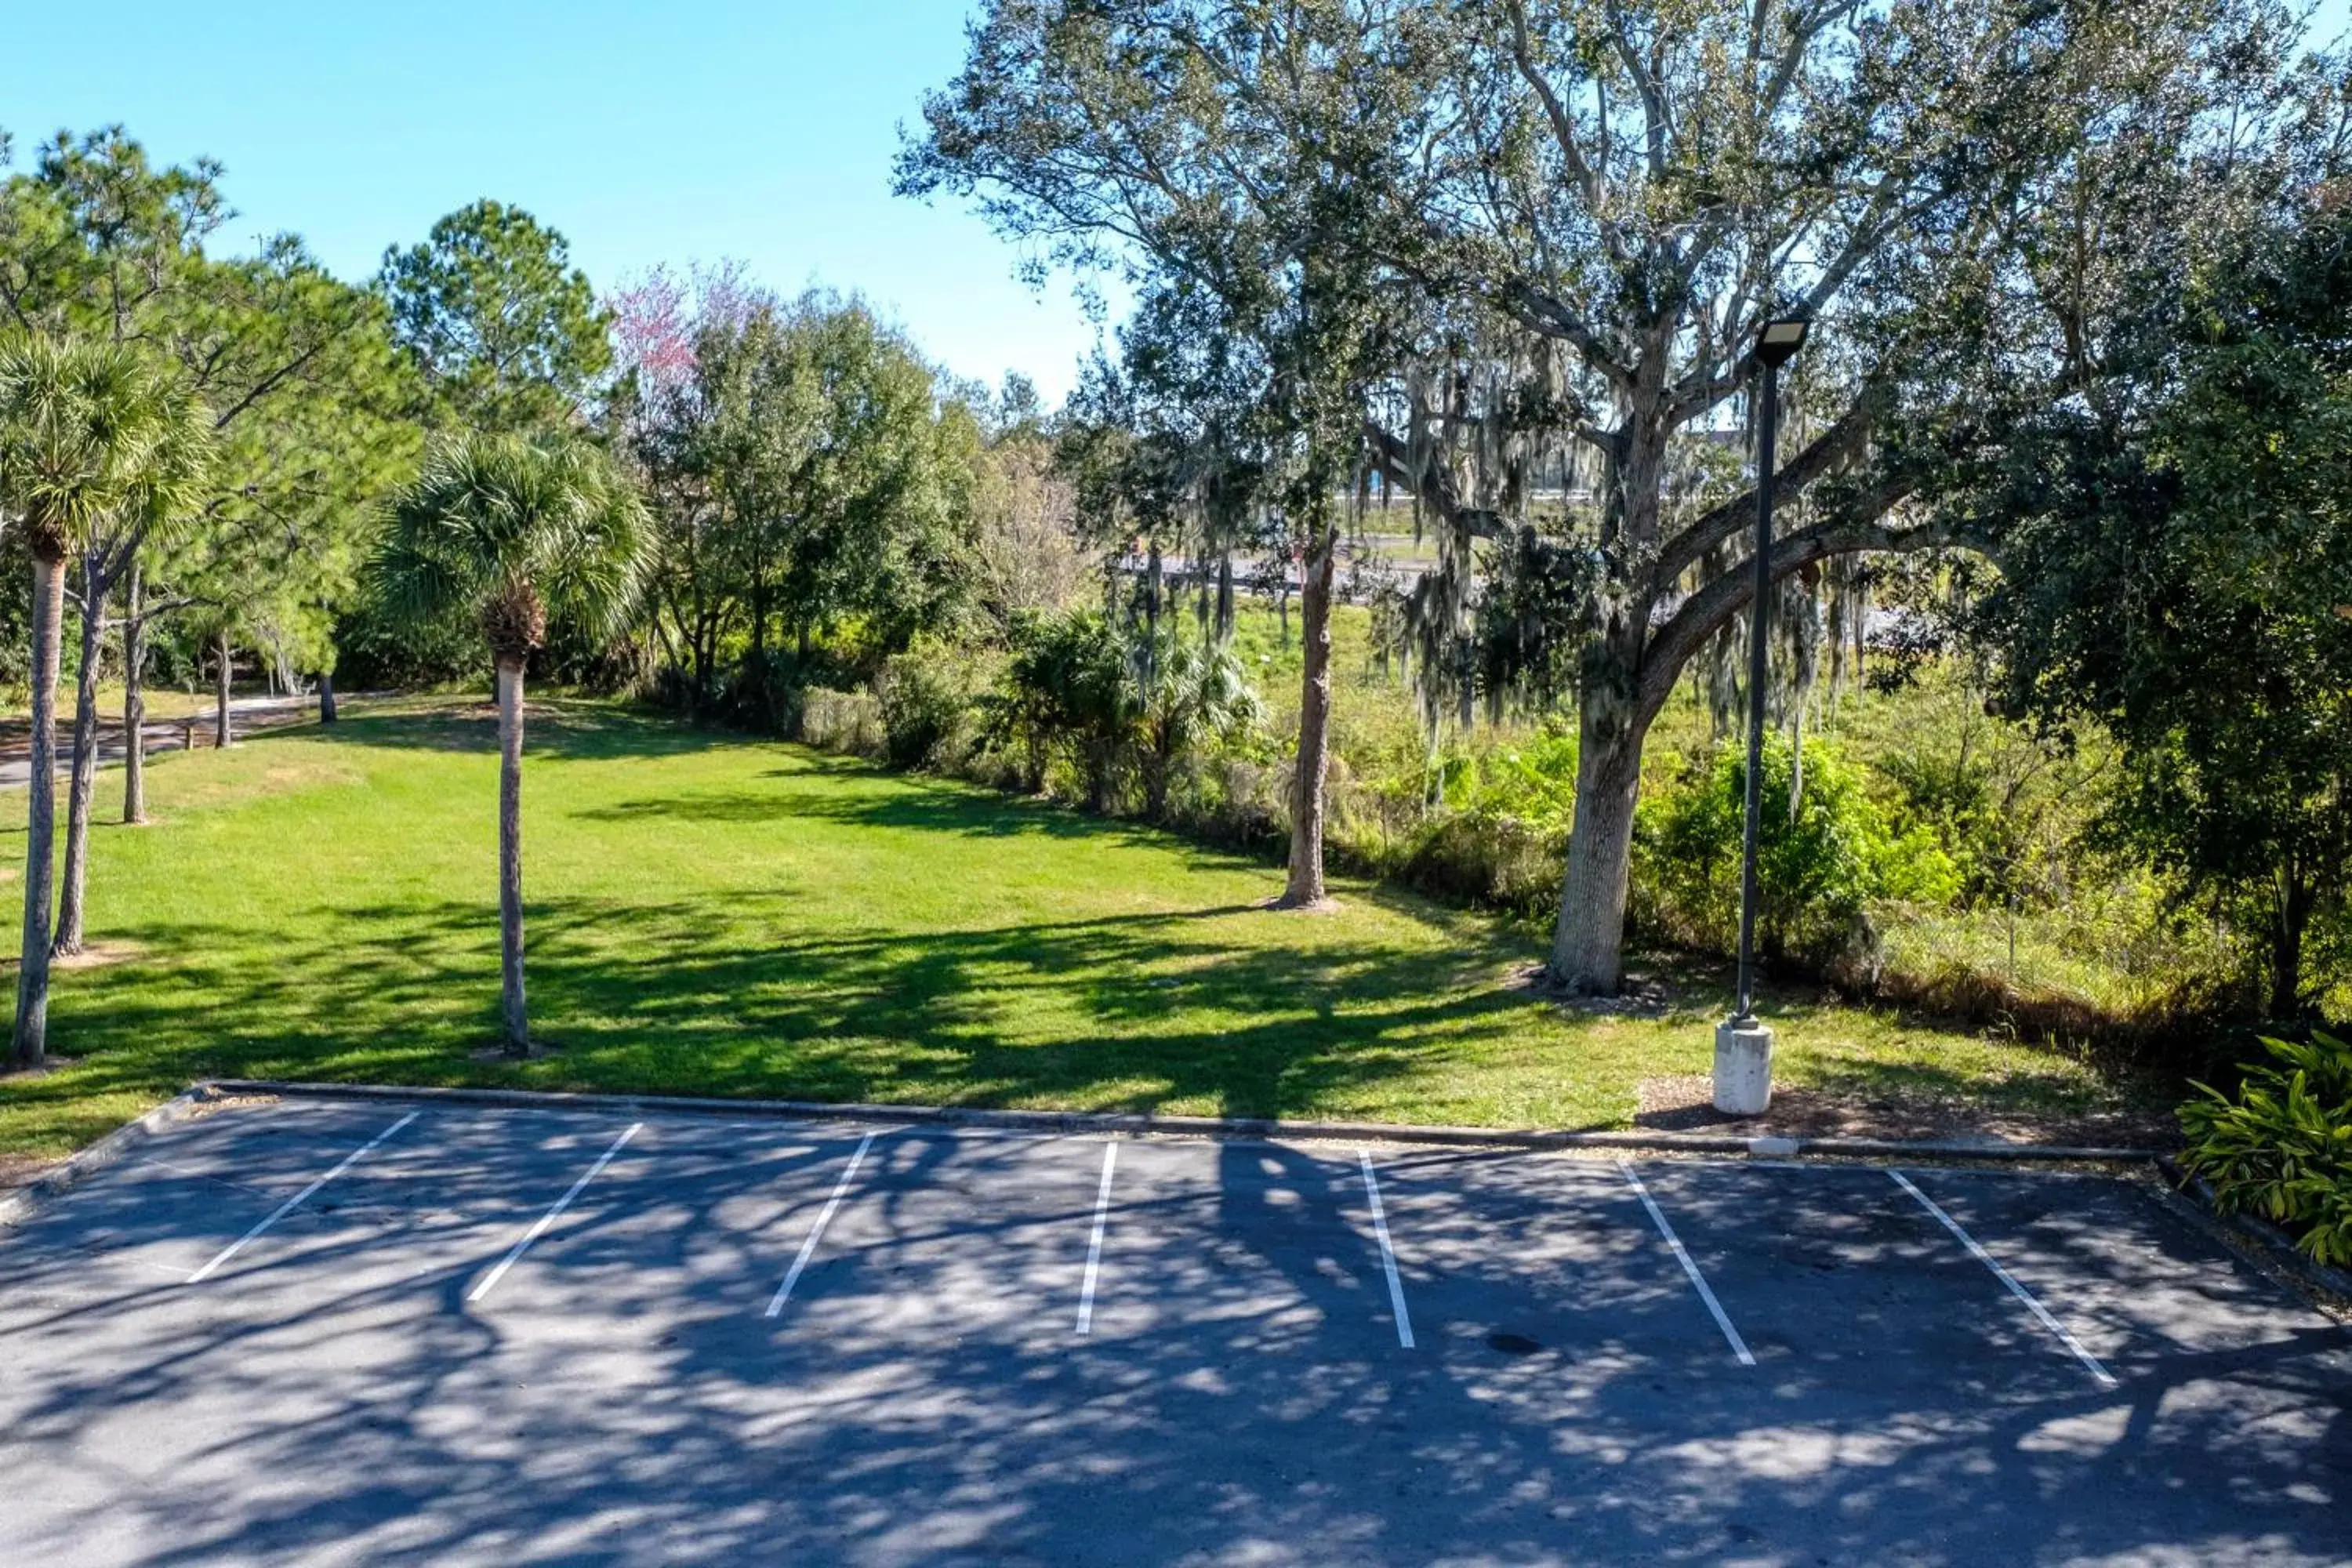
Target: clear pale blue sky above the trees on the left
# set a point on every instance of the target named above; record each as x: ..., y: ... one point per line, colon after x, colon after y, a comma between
x: 655, y: 130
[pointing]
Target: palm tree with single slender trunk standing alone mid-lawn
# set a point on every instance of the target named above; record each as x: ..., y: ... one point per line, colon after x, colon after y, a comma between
x: 514, y: 530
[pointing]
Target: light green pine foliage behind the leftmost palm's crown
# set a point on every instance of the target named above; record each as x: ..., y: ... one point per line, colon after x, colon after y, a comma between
x: 305, y: 394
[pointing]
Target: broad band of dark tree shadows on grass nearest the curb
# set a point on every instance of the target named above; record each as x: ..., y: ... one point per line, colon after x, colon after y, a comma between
x: 1125, y: 1012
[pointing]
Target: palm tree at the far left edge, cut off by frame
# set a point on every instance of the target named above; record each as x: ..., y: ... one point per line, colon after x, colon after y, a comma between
x: 81, y: 427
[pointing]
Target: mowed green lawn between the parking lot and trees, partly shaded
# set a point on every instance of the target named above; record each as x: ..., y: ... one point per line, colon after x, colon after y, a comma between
x: 740, y: 918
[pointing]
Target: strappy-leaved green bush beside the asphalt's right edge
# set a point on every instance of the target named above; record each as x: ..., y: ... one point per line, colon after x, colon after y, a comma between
x: 2283, y: 1146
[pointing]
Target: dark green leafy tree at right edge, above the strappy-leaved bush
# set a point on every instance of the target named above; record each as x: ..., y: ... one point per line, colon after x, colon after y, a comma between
x: 2174, y: 572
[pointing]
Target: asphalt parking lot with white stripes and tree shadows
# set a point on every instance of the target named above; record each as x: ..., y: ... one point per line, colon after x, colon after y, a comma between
x: 455, y: 1334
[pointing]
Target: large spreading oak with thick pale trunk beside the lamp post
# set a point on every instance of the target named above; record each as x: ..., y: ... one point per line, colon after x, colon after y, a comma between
x: 1641, y: 185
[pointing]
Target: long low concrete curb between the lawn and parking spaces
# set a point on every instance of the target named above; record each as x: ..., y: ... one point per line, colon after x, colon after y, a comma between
x: 1201, y: 1127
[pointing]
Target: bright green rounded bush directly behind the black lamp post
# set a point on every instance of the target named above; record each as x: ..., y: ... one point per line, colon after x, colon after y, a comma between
x: 1819, y: 871
